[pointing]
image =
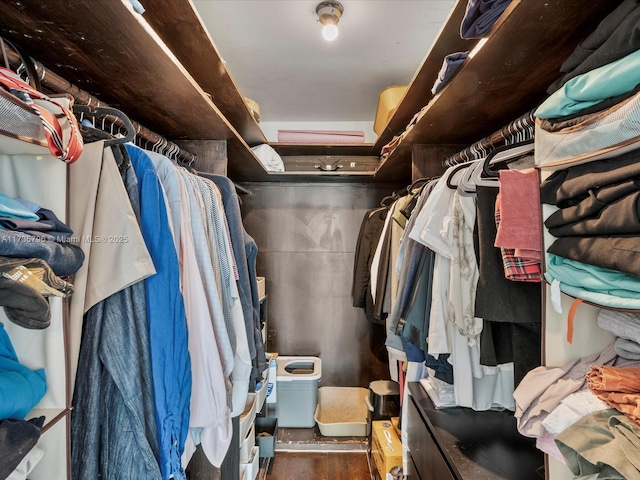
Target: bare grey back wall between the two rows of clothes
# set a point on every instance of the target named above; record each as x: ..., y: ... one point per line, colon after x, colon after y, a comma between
x: 306, y: 236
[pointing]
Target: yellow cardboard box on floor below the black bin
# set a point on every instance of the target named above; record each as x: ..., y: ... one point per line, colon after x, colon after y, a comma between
x: 386, y: 451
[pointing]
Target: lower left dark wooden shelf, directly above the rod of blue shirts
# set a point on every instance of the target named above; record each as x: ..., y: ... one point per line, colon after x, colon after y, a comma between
x: 111, y: 52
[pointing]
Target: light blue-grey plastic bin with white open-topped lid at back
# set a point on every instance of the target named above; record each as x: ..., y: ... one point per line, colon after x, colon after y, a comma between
x: 297, y: 386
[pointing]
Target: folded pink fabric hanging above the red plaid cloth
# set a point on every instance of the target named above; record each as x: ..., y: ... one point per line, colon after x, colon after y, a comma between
x: 521, y: 219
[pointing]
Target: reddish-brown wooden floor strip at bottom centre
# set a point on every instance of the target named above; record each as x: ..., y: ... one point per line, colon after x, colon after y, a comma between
x: 319, y: 466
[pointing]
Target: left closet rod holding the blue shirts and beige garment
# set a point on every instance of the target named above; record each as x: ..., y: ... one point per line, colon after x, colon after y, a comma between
x: 58, y: 84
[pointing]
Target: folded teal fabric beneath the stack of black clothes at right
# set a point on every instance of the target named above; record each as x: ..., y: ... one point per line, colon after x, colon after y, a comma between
x: 598, y: 285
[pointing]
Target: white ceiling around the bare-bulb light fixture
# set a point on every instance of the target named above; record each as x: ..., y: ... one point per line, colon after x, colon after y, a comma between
x: 275, y: 52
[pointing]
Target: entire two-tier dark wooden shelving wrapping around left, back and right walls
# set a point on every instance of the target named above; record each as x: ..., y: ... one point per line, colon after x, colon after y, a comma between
x: 160, y: 68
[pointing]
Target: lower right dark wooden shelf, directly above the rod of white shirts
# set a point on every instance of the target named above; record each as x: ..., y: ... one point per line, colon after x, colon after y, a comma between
x: 504, y: 76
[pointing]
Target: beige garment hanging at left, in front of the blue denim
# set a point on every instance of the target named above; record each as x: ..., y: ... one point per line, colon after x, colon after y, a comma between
x: 102, y: 208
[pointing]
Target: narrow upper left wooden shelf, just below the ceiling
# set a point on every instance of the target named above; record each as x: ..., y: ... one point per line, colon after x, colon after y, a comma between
x: 193, y: 47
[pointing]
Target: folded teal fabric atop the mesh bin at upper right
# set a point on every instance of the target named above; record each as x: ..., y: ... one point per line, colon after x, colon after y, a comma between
x: 588, y: 89
